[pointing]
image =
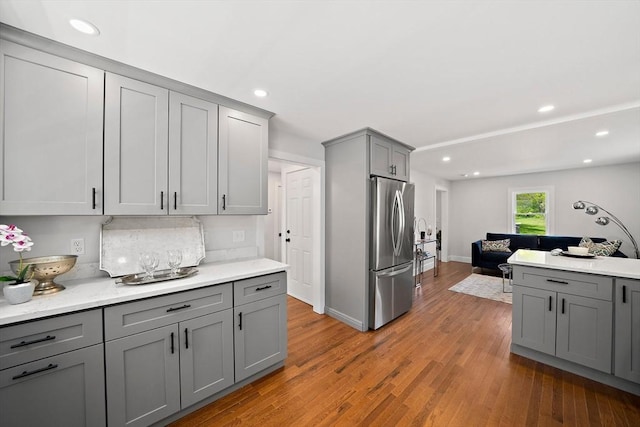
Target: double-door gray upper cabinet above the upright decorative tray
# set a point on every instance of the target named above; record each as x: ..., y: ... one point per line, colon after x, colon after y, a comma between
x: 161, y: 151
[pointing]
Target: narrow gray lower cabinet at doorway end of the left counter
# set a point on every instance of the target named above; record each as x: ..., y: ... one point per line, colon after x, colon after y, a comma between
x: 260, y: 323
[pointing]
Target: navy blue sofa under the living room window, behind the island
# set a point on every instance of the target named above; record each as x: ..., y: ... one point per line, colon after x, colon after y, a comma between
x: 491, y: 260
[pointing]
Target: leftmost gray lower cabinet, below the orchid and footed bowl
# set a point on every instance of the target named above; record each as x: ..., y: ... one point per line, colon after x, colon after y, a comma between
x: 52, y: 372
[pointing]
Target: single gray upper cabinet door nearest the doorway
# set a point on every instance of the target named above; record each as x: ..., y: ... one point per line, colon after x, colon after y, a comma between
x: 243, y: 151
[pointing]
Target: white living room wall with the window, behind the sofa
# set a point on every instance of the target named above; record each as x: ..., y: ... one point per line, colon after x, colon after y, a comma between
x: 478, y: 206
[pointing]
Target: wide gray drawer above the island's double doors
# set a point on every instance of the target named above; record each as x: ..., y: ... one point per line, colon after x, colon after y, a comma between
x: 587, y: 285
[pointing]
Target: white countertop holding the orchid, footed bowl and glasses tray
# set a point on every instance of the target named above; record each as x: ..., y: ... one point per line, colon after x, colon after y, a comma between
x: 92, y: 293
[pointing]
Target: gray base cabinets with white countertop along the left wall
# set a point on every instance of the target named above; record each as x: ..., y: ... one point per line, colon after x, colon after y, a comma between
x: 141, y: 355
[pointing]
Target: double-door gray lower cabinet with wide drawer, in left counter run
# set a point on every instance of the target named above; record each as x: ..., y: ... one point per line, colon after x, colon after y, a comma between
x: 176, y: 350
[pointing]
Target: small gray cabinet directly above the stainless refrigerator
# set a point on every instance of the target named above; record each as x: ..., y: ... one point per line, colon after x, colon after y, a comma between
x: 388, y: 158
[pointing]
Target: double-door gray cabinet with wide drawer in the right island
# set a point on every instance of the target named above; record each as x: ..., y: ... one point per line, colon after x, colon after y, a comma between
x: 566, y: 315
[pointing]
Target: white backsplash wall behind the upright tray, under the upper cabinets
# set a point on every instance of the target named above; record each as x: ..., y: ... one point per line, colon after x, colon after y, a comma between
x: 52, y: 236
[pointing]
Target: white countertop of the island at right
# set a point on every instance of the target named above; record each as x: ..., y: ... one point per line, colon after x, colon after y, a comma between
x: 604, y: 266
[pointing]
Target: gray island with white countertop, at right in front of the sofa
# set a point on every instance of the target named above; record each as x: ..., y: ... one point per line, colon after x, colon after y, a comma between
x: 579, y: 314
